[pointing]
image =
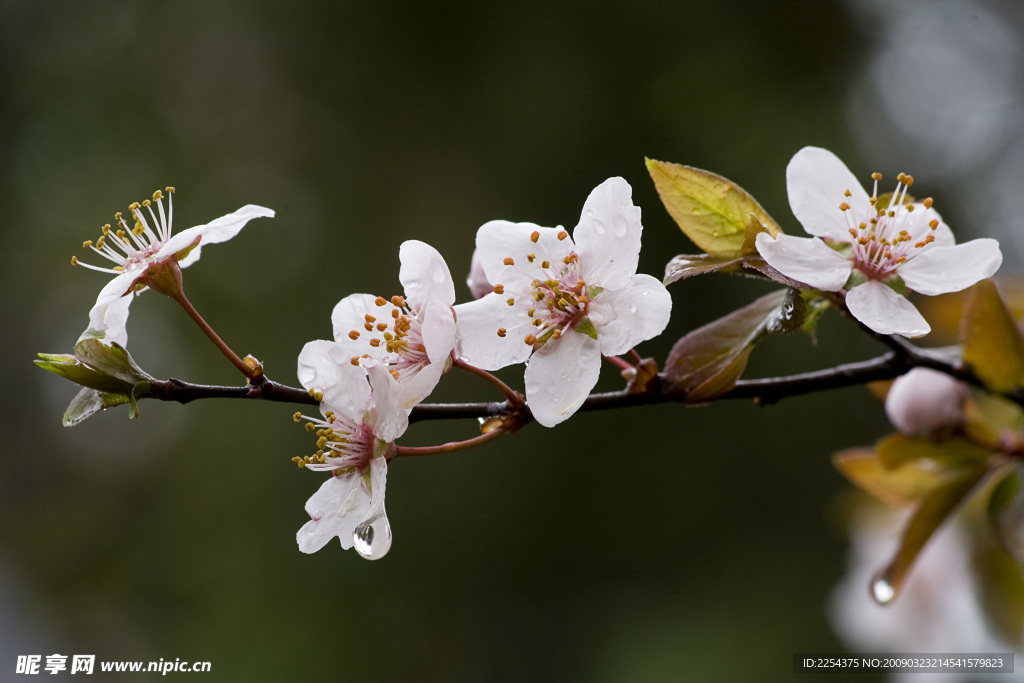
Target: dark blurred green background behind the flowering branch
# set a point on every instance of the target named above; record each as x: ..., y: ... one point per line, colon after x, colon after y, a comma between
x: 644, y: 545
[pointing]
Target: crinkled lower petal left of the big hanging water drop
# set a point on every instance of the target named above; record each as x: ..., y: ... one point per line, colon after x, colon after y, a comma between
x: 335, y: 510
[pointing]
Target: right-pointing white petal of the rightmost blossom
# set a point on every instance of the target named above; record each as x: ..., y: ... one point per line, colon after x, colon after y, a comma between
x: 942, y: 270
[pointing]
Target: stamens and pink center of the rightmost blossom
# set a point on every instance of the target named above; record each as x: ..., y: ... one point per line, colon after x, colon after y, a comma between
x: 888, y: 234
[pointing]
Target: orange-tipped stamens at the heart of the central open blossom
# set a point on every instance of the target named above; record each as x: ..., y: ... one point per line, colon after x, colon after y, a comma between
x: 557, y: 303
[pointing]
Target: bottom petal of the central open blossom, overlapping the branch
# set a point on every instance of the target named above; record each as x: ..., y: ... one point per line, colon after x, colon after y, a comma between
x: 561, y: 375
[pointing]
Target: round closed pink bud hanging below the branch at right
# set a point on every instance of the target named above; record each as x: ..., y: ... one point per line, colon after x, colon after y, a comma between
x: 925, y: 403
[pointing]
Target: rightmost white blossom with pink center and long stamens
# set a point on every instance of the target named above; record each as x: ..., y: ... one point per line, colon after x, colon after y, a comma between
x: 866, y: 243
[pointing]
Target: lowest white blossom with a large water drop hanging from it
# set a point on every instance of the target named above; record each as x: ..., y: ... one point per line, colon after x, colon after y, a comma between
x: 356, y: 439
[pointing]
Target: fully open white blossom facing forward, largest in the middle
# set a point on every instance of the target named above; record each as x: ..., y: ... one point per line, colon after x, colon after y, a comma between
x: 560, y: 303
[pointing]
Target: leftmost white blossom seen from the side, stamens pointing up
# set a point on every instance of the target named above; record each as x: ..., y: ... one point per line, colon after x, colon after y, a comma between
x: 135, y: 250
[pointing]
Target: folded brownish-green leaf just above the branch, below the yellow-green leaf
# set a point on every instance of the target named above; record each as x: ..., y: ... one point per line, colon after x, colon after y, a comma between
x: 707, y: 363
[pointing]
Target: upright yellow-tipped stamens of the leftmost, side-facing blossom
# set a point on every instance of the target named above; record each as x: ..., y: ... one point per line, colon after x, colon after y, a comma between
x: 129, y: 248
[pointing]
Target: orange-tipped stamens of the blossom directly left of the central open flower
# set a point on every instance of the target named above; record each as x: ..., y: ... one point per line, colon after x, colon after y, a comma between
x: 399, y: 334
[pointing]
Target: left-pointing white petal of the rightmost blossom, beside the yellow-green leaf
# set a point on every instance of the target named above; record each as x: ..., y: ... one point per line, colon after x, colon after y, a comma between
x: 806, y: 260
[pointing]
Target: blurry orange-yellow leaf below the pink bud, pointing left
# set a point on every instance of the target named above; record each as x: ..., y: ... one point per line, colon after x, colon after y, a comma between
x: 899, y: 488
